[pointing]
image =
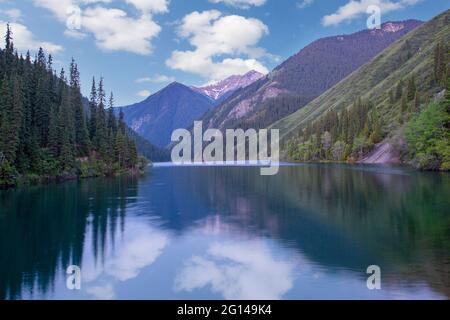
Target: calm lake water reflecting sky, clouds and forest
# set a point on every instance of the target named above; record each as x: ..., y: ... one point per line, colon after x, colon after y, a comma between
x: 228, y: 233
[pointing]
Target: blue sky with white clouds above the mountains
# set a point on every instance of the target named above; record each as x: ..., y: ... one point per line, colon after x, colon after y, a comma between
x: 139, y: 46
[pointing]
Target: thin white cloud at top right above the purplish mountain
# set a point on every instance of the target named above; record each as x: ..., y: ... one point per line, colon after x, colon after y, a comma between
x: 355, y: 8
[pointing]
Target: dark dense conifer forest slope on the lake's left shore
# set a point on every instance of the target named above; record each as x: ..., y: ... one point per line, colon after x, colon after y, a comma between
x: 45, y: 132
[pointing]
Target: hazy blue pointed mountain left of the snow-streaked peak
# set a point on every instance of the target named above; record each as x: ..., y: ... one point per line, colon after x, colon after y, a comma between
x: 176, y: 106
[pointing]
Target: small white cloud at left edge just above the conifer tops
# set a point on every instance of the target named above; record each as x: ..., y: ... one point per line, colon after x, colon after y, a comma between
x: 25, y: 40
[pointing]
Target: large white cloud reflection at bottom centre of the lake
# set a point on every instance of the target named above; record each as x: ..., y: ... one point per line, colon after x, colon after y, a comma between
x: 244, y: 270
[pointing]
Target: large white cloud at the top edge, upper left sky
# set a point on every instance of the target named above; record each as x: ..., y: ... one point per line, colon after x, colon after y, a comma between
x: 113, y: 29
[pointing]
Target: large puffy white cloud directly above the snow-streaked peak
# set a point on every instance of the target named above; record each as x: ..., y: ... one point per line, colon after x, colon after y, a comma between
x: 224, y: 45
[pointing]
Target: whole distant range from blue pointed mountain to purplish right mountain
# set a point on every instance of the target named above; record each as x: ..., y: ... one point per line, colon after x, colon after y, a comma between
x: 254, y: 100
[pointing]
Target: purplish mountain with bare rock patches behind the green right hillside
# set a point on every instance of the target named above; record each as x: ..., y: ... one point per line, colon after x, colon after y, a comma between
x: 303, y: 77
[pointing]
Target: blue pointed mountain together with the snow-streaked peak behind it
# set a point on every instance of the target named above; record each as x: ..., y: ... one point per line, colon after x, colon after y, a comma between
x: 178, y: 106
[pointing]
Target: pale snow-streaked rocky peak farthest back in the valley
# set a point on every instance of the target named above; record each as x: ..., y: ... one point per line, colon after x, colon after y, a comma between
x: 223, y: 89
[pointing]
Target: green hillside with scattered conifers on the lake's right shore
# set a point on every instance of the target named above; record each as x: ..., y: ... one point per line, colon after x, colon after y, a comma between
x: 397, y: 99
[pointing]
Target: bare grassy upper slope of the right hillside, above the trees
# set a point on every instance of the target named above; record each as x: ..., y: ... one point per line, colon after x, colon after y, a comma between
x: 411, y: 57
